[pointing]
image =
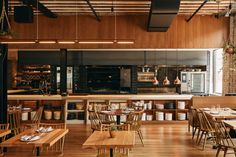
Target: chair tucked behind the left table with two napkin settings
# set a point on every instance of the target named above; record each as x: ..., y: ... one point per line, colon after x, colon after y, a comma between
x: 58, y: 146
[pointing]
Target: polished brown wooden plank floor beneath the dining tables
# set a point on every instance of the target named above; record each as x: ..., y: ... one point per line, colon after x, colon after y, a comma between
x: 161, y: 140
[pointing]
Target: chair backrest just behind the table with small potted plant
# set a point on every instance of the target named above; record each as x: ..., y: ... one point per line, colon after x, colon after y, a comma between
x: 115, y: 127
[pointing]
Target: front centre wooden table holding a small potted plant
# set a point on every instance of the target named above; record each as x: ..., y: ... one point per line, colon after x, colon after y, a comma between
x: 123, y: 139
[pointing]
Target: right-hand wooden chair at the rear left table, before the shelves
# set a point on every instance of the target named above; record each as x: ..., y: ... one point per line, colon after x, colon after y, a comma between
x: 35, y: 120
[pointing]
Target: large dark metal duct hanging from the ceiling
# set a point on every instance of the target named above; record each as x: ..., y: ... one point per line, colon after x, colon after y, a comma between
x: 161, y: 14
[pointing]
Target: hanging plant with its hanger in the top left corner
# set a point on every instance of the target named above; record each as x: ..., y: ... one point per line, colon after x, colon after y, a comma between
x: 5, y: 34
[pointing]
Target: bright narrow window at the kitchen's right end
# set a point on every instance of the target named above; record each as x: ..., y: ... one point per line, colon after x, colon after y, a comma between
x: 218, y: 71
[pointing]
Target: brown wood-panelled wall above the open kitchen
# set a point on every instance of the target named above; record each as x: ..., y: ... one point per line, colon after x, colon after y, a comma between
x: 200, y: 32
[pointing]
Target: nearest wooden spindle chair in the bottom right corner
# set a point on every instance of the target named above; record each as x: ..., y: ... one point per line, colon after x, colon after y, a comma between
x: 224, y: 141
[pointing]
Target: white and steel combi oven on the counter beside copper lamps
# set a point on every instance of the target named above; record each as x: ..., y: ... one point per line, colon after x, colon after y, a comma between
x: 193, y: 82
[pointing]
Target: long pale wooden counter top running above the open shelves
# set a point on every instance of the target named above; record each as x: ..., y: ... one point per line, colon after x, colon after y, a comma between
x: 102, y: 97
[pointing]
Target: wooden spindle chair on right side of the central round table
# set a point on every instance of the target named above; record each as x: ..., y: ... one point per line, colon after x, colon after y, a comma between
x: 135, y: 121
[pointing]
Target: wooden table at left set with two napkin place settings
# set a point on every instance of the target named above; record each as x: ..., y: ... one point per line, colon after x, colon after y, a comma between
x: 47, y: 139
